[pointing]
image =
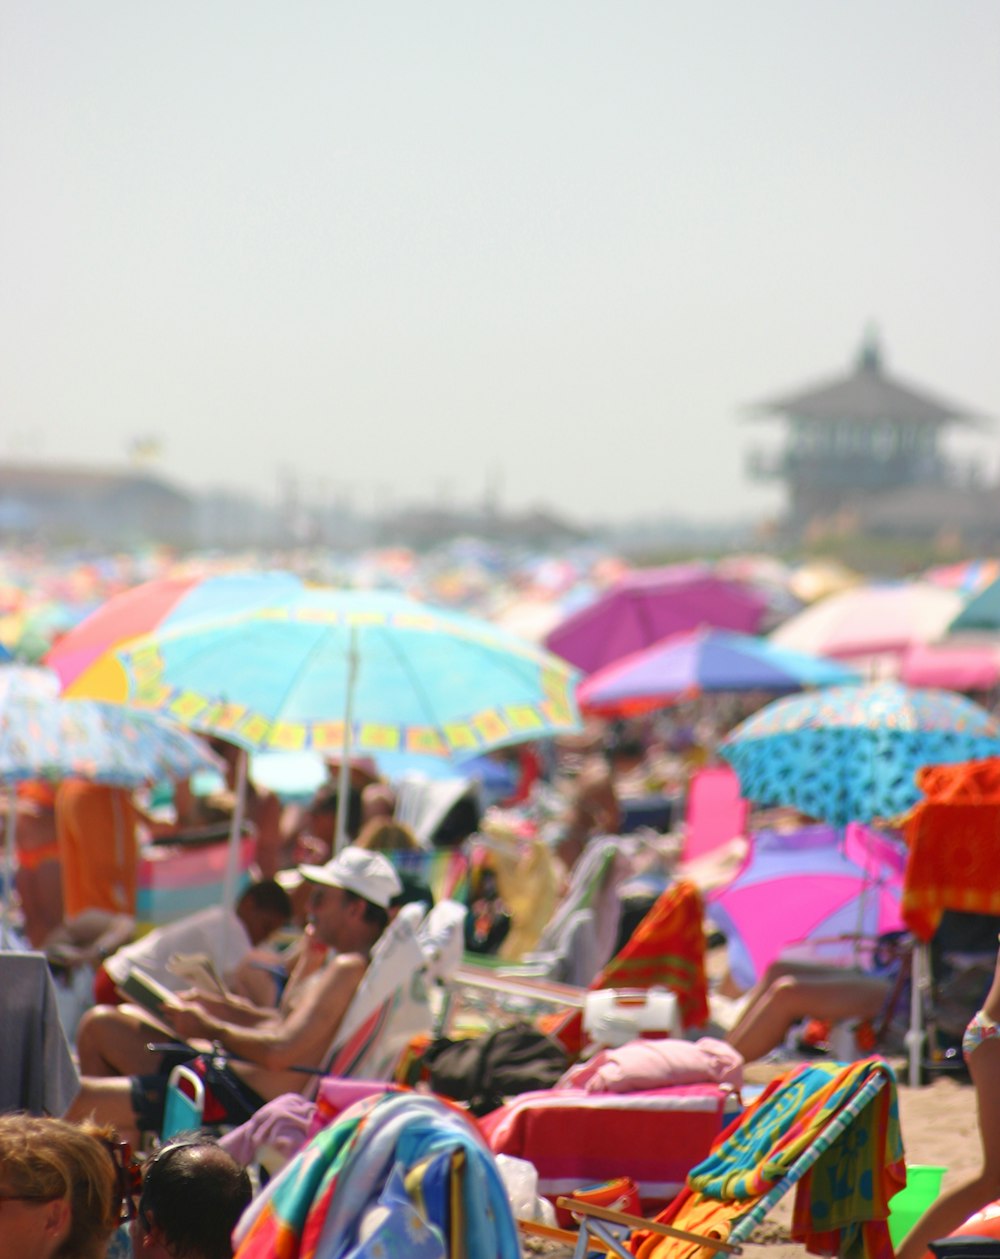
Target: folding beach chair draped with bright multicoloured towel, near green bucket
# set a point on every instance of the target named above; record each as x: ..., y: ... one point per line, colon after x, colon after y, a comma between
x: 828, y: 1131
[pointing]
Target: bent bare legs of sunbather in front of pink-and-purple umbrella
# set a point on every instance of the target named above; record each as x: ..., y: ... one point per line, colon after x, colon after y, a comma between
x: 792, y: 991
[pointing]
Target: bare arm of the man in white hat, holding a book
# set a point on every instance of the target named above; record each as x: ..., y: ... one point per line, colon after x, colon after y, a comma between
x: 300, y: 1038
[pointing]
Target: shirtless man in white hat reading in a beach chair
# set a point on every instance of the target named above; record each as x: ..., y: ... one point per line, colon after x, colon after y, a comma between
x: 127, y: 1083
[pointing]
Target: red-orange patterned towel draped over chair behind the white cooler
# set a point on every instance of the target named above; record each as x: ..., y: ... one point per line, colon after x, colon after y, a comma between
x: 667, y: 949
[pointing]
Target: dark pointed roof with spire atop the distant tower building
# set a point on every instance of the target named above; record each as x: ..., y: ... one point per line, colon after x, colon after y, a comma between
x: 870, y: 395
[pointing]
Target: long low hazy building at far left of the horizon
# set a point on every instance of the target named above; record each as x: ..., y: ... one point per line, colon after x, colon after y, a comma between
x: 88, y: 507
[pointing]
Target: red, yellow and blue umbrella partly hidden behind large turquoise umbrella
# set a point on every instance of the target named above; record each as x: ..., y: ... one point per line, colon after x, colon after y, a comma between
x: 162, y: 604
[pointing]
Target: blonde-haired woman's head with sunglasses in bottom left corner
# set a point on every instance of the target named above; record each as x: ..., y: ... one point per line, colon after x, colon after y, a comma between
x: 62, y: 1187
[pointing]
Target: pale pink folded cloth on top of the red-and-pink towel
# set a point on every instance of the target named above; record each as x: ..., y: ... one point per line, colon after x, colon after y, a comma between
x: 651, y: 1064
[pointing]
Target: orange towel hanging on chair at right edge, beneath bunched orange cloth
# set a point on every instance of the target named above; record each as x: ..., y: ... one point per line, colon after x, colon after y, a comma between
x: 954, y: 850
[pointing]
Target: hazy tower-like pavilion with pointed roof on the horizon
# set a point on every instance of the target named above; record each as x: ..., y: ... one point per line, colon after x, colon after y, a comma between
x: 857, y: 441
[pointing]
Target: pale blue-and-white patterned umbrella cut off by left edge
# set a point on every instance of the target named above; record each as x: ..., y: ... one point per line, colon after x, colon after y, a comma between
x: 43, y: 736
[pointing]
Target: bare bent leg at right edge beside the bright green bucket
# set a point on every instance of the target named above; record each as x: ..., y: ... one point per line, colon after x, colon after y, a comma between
x: 957, y: 1205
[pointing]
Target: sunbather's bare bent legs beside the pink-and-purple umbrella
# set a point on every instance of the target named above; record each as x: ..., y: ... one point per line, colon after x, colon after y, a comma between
x: 792, y: 999
